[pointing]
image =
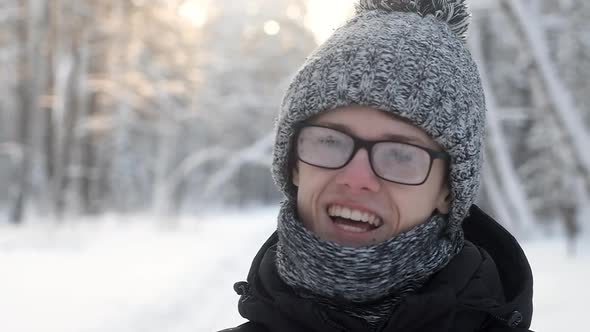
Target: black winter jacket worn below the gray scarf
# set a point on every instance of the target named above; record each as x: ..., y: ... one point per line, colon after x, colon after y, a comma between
x: 488, y: 286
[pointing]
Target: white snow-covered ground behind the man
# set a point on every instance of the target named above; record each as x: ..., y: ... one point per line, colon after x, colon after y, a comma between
x: 141, y: 276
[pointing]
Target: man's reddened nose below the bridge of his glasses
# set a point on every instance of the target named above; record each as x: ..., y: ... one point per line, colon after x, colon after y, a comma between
x: 358, y: 174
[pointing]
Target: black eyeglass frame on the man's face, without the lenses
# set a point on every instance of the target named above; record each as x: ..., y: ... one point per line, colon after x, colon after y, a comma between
x: 368, y: 146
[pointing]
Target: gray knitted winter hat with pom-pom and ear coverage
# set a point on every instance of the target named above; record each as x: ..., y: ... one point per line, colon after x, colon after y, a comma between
x: 407, y: 58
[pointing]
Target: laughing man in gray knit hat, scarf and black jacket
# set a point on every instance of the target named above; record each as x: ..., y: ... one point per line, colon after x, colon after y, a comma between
x: 378, y: 152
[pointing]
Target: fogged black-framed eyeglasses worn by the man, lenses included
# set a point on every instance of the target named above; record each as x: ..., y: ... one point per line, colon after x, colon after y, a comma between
x: 392, y: 161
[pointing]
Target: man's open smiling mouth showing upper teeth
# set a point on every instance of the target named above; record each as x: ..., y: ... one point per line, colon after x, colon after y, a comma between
x: 353, y: 220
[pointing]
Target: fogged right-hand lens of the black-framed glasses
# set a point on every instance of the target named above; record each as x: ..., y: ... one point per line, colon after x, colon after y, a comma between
x: 401, y: 162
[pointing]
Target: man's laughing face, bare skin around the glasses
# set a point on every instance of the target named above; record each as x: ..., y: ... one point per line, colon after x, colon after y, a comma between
x: 324, y: 194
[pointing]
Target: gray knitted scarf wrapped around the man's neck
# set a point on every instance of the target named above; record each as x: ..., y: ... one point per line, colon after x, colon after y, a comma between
x: 365, y: 282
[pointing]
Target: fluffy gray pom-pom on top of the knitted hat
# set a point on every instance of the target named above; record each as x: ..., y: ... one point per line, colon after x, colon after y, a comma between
x: 452, y: 12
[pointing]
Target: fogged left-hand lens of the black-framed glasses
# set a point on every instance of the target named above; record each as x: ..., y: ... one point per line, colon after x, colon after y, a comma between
x: 324, y: 147
